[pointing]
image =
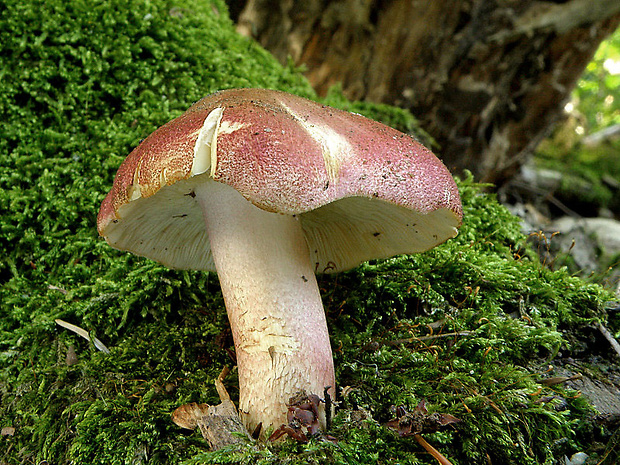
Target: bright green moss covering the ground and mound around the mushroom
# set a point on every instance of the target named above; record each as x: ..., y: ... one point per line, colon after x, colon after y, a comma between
x: 81, y: 83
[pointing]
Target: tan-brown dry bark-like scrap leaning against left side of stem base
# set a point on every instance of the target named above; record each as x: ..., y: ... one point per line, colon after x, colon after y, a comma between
x: 219, y: 424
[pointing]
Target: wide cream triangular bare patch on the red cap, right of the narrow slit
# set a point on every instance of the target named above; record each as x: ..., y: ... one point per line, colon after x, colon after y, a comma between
x: 334, y: 148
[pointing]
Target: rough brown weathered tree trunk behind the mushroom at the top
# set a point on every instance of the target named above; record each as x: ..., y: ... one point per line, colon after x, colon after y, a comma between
x: 485, y: 78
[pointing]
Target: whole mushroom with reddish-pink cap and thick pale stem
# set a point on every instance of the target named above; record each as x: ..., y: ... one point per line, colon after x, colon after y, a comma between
x: 267, y: 189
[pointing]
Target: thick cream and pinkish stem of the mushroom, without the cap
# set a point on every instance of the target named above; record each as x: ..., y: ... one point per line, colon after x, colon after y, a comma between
x: 273, y: 304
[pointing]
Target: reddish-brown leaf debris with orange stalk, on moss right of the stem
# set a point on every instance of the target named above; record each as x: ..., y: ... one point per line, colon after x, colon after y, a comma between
x: 411, y: 424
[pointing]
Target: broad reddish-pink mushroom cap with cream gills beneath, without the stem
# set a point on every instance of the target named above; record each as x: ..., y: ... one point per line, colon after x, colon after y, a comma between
x: 361, y: 190
